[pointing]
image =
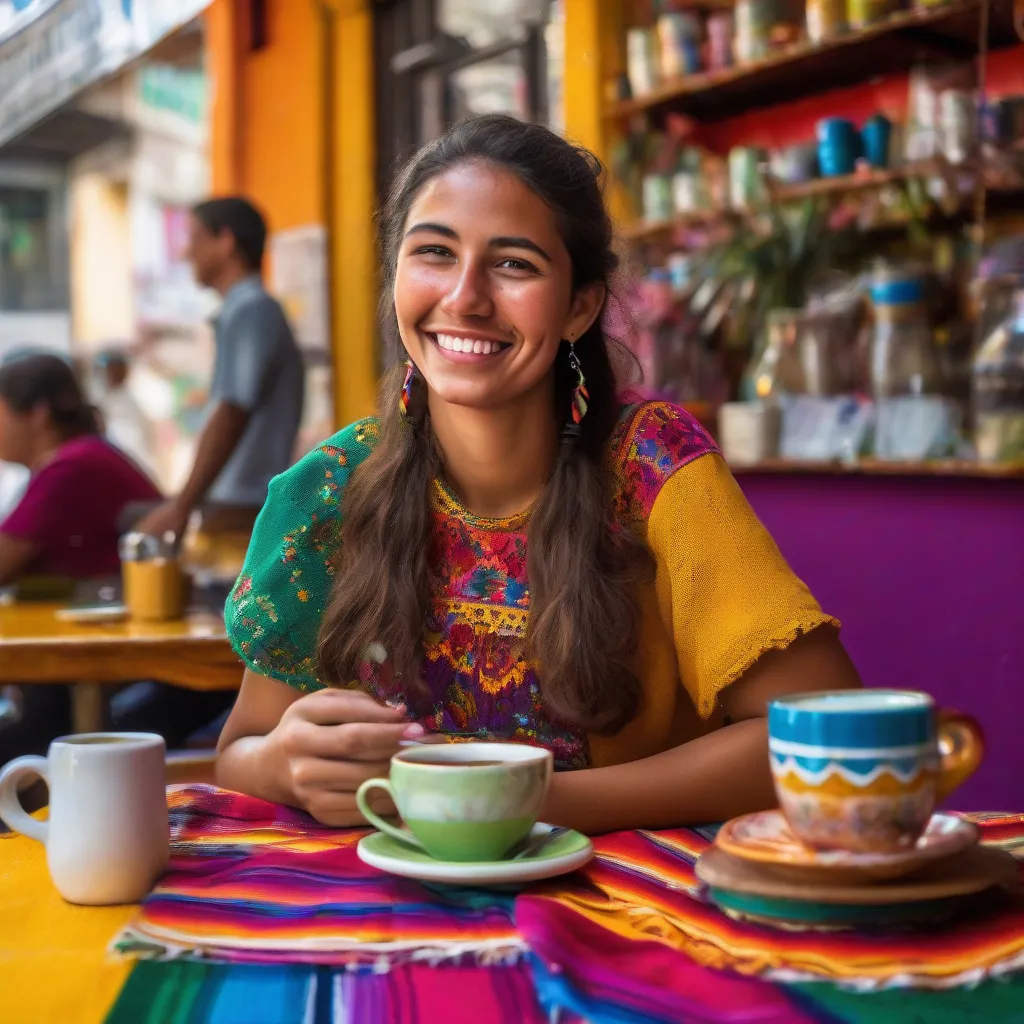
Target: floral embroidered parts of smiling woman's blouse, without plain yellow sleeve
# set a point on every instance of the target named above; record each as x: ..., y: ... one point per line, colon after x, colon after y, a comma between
x: 477, y: 677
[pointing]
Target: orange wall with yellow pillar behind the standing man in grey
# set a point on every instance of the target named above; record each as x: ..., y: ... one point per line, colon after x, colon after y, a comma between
x: 271, y: 141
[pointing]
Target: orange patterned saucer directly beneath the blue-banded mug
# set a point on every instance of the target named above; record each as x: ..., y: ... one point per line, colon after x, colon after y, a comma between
x: 765, y: 838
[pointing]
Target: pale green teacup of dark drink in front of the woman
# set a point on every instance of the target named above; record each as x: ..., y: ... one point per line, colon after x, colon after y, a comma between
x: 463, y: 801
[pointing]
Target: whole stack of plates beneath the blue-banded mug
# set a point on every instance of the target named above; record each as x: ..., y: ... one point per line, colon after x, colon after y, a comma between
x: 757, y: 870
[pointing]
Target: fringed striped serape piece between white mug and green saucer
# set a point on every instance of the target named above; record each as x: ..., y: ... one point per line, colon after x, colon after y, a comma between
x: 251, y: 879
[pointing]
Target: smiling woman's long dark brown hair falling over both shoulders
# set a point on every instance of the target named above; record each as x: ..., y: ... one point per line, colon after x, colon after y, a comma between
x: 583, y: 567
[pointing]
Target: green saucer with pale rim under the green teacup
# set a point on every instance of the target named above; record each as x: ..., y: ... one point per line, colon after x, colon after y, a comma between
x: 567, y: 854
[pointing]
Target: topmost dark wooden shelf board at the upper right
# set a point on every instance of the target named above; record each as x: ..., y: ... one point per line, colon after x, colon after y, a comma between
x: 804, y: 70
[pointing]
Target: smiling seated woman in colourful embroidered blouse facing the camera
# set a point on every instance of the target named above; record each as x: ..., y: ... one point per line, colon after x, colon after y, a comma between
x: 508, y: 550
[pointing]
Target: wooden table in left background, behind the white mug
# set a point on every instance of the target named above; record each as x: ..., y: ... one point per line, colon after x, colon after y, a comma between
x: 36, y: 647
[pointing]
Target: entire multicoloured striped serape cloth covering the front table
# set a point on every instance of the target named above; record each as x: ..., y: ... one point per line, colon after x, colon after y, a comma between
x: 630, y: 938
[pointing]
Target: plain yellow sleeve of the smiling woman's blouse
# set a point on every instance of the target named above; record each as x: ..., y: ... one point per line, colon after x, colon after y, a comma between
x: 724, y: 589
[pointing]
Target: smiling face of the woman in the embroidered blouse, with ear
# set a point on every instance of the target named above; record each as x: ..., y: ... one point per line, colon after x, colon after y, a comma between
x: 484, y: 289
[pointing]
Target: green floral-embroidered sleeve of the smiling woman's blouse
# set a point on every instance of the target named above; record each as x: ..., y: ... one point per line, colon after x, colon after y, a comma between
x: 274, y: 614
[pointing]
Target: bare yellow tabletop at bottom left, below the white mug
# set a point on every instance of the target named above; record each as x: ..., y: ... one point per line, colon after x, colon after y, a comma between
x: 54, y: 960
